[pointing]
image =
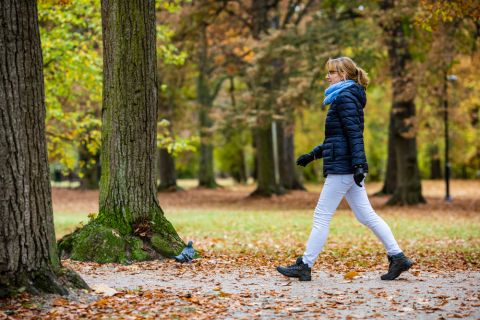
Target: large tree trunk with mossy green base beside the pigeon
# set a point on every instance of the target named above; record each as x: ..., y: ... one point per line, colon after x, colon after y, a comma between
x: 130, y: 225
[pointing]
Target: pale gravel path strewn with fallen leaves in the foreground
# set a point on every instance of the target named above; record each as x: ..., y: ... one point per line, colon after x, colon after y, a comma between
x: 263, y: 293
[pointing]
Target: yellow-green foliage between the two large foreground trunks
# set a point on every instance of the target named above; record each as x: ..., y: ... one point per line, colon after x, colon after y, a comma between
x: 71, y: 42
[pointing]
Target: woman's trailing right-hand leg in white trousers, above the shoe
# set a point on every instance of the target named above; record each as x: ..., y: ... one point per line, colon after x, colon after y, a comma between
x: 358, y: 200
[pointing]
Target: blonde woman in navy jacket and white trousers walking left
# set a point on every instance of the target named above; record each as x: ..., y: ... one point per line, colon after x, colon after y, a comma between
x: 345, y: 166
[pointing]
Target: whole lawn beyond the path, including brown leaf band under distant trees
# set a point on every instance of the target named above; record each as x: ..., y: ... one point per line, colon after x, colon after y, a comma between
x: 225, y: 222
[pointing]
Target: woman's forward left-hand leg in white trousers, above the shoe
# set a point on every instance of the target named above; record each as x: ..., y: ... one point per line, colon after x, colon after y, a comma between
x: 332, y: 193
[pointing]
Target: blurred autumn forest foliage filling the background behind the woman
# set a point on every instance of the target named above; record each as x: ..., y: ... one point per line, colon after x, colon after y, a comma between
x: 215, y: 84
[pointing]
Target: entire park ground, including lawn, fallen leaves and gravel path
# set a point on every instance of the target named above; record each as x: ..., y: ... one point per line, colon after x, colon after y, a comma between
x: 242, y: 239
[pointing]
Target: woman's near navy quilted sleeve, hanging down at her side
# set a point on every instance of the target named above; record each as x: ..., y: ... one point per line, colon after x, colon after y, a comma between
x: 352, y: 127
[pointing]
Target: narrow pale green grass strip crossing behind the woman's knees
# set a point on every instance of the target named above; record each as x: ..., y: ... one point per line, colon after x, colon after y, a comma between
x: 218, y: 222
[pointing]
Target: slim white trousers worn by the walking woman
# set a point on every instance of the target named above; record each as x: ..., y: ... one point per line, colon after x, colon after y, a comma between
x: 335, y: 188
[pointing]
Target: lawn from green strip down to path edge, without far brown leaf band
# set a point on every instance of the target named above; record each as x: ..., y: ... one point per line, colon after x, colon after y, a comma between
x: 283, y: 234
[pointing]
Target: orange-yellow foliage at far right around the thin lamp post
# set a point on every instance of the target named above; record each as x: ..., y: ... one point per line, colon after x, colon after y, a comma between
x: 450, y: 35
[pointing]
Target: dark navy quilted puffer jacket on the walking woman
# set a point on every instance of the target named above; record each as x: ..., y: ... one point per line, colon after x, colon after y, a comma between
x: 343, y: 146
